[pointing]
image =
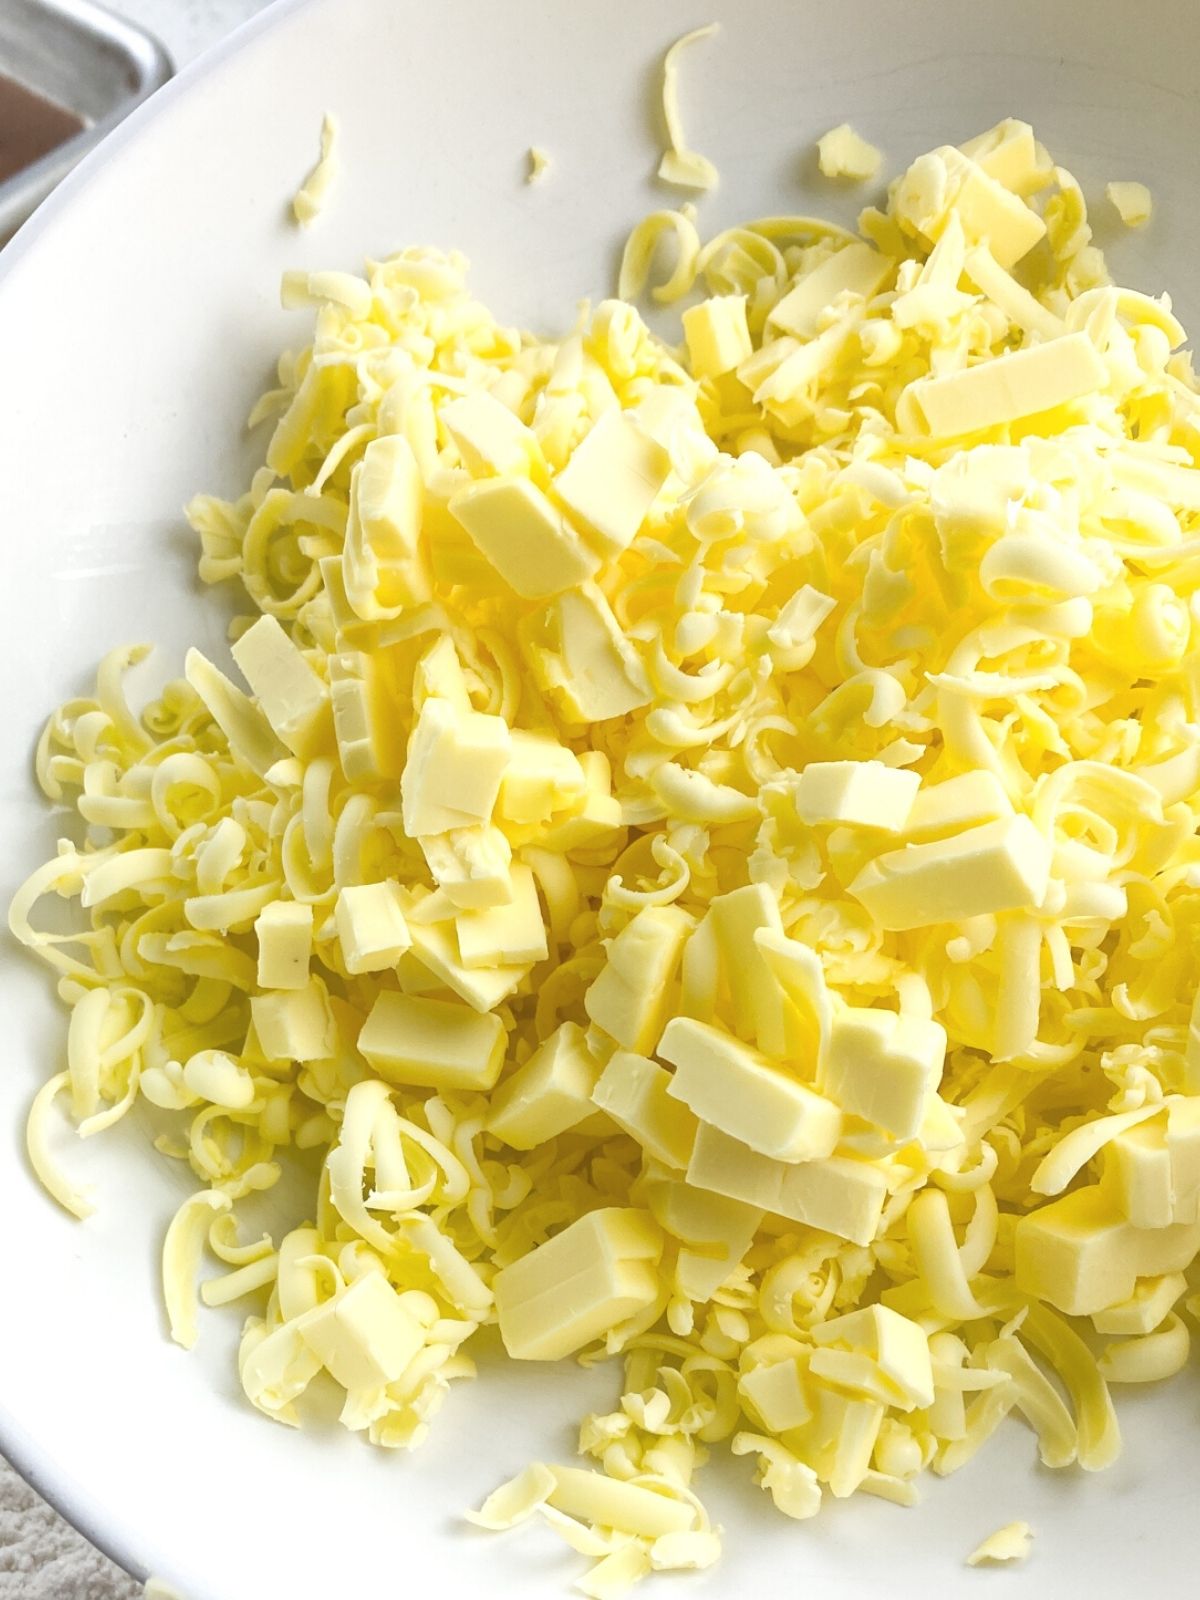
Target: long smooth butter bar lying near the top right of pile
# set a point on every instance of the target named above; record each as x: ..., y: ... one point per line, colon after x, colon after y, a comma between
x: 1010, y: 386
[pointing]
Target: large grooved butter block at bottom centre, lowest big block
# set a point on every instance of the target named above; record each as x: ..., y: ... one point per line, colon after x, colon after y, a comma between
x: 574, y: 1289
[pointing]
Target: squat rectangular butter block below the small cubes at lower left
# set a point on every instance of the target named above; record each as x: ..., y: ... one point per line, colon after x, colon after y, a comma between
x: 434, y: 1044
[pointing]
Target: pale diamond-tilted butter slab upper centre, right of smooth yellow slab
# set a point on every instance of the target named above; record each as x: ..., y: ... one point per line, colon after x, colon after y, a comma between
x: 612, y: 479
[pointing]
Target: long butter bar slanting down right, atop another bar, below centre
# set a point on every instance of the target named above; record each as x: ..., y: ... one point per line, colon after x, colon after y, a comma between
x: 737, y: 1090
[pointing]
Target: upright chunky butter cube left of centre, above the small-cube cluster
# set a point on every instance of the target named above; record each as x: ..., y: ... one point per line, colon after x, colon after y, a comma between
x: 454, y: 772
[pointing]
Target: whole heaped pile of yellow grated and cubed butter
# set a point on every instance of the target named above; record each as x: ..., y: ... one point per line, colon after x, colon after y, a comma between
x: 705, y: 846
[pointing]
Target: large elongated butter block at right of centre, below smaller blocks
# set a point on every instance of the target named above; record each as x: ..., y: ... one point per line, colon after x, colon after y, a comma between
x: 999, y: 866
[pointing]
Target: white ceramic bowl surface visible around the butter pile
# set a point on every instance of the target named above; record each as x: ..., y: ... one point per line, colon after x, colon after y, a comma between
x: 138, y: 319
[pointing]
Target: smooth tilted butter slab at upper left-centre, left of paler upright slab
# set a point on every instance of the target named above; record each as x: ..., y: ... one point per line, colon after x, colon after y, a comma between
x: 526, y: 538
